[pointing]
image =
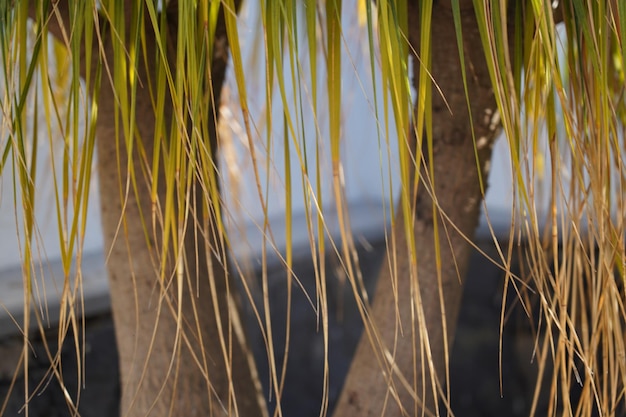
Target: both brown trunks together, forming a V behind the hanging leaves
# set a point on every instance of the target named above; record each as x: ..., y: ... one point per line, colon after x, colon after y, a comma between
x: 189, y: 368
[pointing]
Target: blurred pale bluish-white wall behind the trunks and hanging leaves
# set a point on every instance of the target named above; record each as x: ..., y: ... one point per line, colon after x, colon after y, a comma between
x: 366, y: 167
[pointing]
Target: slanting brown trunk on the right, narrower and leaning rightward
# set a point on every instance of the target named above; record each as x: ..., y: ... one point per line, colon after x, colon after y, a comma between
x: 398, y: 383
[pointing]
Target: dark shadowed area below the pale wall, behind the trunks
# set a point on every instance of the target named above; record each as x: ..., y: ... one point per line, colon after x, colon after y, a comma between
x: 474, y: 368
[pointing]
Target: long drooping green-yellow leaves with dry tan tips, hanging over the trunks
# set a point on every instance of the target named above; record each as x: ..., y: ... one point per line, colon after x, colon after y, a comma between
x: 560, y: 103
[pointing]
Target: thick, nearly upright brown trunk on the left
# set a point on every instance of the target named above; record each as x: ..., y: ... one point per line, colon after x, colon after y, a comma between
x: 197, y: 369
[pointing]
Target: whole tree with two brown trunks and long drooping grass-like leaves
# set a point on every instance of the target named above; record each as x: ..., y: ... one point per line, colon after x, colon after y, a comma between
x: 152, y: 82
